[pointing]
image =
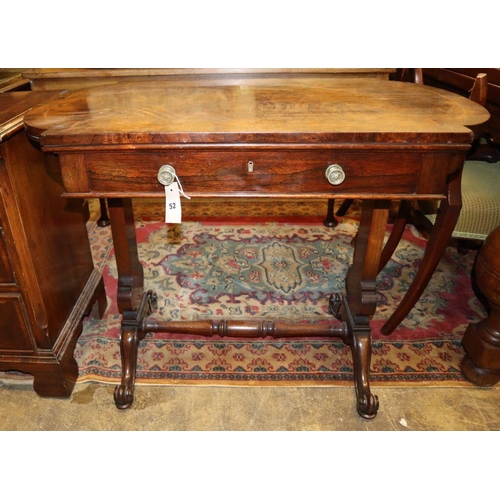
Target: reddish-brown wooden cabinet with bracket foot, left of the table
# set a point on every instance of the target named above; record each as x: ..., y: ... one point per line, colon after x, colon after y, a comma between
x: 47, y: 278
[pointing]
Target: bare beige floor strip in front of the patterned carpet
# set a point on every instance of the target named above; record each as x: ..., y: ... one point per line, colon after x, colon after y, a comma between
x: 91, y: 407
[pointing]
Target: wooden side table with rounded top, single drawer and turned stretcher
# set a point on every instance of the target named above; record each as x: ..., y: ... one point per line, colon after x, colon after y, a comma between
x: 367, y: 139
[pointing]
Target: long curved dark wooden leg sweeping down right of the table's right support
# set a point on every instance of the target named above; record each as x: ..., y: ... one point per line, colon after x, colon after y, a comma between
x: 442, y: 230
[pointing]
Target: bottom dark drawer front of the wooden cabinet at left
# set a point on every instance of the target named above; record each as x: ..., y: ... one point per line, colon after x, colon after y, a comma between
x: 15, y: 332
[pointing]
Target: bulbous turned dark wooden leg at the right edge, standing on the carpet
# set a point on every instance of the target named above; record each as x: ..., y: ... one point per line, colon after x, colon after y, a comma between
x: 481, y: 364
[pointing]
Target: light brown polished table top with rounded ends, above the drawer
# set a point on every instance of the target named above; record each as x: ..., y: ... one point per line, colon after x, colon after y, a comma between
x: 347, y: 110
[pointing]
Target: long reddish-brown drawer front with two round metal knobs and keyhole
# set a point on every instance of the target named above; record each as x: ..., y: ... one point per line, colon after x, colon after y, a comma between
x: 248, y: 172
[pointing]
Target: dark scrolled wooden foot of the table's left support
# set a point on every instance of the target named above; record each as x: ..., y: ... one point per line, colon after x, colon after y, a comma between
x: 132, y: 333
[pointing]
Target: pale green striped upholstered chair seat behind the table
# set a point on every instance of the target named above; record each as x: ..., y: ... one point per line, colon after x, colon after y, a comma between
x: 480, y: 201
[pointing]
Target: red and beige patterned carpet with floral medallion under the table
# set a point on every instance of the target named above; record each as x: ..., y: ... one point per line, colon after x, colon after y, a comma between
x: 238, y: 260
